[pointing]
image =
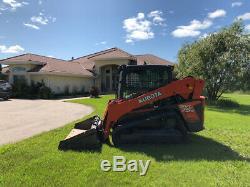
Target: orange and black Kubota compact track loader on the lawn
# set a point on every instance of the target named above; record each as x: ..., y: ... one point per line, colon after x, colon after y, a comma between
x: 150, y: 107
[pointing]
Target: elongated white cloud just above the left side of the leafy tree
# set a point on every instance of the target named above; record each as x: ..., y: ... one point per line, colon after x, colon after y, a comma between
x: 191, y: 30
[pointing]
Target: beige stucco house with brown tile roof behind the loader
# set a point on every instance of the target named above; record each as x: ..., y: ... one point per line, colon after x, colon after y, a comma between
x: 98, y: 69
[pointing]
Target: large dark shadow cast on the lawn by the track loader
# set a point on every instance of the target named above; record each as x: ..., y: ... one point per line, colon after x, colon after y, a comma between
x: 197, y: 148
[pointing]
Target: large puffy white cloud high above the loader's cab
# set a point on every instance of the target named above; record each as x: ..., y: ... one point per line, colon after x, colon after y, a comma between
x: 138, y: 28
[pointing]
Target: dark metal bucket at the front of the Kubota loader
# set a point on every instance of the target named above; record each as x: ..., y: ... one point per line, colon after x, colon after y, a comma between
x: 84, y: 136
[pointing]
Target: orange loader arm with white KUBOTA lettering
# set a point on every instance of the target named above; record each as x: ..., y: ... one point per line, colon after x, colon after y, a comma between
x: 119, y: 107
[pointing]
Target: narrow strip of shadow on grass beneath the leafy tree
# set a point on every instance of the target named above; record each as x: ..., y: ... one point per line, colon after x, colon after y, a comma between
x: 242, y: 109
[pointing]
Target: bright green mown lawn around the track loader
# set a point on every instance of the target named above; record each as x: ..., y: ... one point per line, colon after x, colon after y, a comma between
x: 217, y: 156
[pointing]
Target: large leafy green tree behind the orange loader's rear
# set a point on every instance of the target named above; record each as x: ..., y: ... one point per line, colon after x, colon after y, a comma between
x: 219, y: 59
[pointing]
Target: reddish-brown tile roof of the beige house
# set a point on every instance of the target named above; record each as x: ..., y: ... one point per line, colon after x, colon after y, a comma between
x: 82, y: 65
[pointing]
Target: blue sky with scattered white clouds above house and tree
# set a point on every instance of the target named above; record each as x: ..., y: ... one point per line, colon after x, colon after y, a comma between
x: 65, y: 29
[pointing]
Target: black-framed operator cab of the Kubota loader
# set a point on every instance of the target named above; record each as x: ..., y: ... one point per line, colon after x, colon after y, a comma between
x: 135, y: 80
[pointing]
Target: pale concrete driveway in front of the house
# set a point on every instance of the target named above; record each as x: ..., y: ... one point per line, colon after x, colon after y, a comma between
x: 20, y: 119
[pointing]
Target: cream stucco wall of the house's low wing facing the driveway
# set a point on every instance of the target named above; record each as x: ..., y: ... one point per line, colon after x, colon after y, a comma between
x: 58, y: 83
